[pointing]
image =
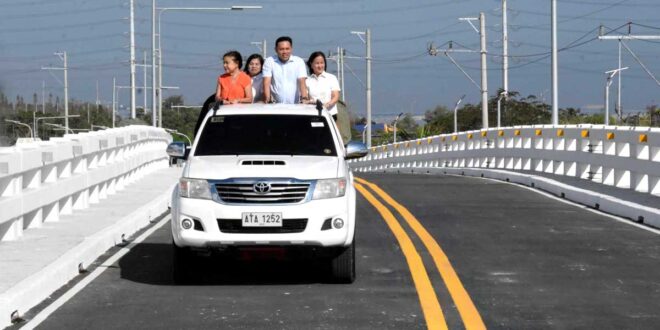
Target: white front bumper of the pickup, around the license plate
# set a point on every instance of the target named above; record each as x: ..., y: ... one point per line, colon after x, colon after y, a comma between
x: 317, y: 212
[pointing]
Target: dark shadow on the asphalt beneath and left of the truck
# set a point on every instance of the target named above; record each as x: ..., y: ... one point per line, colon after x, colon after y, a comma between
x: 151, y: 263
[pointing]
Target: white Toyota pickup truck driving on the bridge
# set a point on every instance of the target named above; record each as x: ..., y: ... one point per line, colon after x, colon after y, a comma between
x: 266, y: 175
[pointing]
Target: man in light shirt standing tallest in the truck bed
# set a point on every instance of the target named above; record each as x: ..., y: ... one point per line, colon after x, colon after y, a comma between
x: 284, y: 75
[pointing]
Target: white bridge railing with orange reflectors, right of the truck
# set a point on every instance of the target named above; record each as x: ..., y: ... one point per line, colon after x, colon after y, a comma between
x: 625, y: 157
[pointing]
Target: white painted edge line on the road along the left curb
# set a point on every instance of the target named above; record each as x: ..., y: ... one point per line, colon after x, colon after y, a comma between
x: 43, y: 314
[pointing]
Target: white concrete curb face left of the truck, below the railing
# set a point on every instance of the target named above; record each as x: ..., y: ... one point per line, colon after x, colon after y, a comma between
x: 39, y: 286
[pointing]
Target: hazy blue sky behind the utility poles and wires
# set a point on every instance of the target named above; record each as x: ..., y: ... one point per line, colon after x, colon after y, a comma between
x: 405, y: 78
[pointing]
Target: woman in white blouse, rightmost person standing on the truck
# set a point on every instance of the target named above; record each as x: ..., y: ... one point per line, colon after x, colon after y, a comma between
x: 322, y: 85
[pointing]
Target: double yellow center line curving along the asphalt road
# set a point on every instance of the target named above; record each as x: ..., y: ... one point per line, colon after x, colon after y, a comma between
x: 428, y: 299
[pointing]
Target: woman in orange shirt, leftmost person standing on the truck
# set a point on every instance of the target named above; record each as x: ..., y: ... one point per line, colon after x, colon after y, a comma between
x: 234, y: 86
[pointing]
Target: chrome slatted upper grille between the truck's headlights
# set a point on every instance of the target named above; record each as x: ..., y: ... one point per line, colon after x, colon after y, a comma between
x: 280, y: 193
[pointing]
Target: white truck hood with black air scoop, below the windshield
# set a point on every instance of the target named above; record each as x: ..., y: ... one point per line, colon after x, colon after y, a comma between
x: 298, y: 167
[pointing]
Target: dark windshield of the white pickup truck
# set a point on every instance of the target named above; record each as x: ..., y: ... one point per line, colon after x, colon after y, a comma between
x: 266, y: 135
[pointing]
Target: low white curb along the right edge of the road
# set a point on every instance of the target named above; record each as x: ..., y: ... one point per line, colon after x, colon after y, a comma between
x: 606, y: 203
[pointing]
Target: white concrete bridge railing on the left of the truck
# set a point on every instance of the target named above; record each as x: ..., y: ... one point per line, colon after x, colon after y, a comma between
x: 42, y: 180
